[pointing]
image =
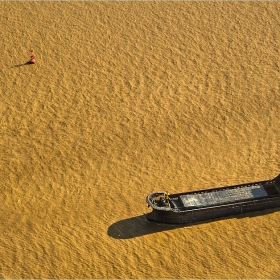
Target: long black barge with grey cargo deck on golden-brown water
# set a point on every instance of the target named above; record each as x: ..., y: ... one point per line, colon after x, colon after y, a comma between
x: 201, y: 205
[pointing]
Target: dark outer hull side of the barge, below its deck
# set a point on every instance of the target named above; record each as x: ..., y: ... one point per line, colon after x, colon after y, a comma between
x: 186, y: 216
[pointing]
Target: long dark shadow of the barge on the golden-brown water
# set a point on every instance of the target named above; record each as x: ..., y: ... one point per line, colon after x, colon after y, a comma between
x: 139, y: 226
